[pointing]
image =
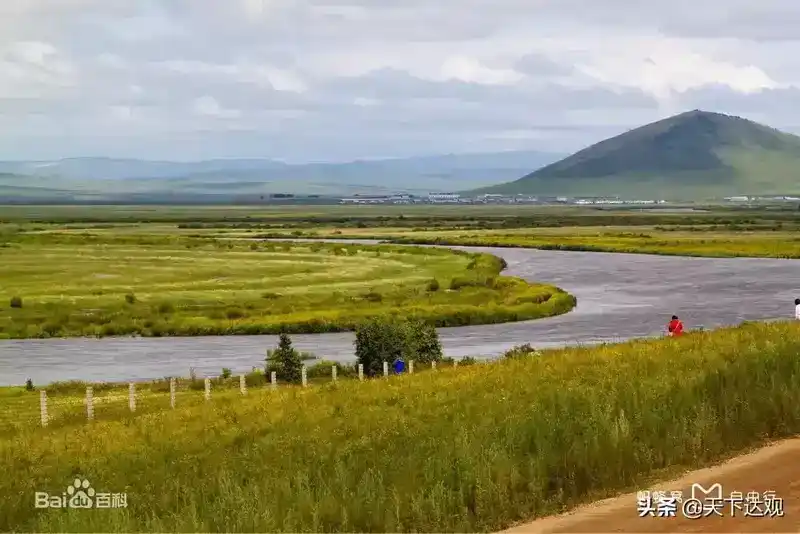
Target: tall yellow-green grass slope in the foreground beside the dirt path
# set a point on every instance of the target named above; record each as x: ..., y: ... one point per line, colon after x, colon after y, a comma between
x: 465, y: 449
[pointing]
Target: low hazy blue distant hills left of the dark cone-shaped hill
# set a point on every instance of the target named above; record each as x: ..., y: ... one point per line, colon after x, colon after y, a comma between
x: 106, y: 176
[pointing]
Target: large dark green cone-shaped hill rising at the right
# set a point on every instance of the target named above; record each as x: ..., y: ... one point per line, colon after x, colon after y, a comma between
x: 692, y: 155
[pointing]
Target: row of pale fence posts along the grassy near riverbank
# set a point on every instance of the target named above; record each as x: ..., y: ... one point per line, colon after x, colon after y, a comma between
x: 75, y: 402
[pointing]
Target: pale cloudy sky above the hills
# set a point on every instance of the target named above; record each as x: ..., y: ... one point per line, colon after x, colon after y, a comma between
x: 336, y: 80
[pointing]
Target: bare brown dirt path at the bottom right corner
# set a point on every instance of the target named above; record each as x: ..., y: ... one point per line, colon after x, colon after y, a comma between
x: 773, y: 468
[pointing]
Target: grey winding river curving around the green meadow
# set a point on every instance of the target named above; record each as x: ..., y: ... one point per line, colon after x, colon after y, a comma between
x: 620, y: 296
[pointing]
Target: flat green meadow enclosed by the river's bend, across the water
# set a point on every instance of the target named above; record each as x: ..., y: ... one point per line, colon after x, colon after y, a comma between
x: 57, y: 285
